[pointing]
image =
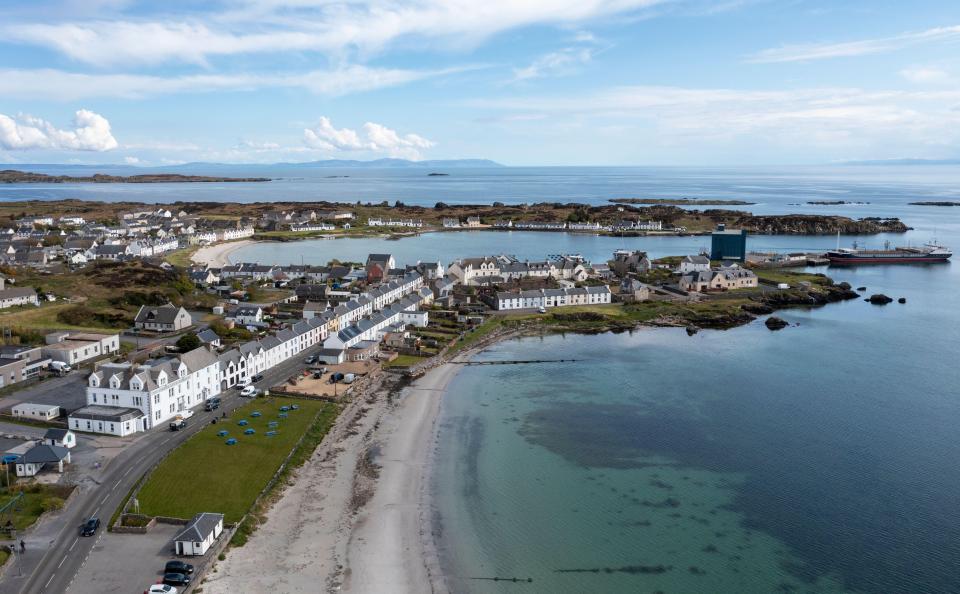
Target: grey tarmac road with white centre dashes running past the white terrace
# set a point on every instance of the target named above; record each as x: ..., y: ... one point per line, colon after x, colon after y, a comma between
x: 55, y: 569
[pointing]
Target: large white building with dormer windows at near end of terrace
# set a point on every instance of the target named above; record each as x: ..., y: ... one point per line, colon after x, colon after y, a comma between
x: 124, y: 398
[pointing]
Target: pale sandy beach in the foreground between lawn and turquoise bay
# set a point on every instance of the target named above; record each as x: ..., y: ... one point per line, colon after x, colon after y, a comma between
x: 346, y: 524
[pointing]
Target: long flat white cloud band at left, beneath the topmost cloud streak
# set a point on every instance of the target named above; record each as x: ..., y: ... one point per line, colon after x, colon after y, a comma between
x: 70, y: 86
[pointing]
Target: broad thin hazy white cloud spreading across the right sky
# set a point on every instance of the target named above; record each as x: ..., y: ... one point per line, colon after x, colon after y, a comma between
x: 828, y: 119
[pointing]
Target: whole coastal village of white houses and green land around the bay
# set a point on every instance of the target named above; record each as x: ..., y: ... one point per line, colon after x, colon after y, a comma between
x: 141, y: 343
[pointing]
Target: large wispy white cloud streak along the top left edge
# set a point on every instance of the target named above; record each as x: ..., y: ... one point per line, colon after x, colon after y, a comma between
x: 262, y: 26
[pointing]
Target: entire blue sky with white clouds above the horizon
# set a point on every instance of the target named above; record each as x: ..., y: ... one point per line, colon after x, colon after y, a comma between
x: 522, y: 82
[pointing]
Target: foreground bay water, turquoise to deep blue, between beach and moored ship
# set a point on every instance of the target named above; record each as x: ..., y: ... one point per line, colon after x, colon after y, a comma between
x: 820, y: 458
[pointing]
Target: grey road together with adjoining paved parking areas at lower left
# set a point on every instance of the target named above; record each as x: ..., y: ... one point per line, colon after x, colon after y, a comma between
x: 55, y: 553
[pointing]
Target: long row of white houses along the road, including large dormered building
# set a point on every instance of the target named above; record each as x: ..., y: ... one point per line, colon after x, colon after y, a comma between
x: 125, y: 398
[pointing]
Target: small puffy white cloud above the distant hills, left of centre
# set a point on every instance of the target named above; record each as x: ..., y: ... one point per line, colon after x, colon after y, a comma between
x: 375, y: 138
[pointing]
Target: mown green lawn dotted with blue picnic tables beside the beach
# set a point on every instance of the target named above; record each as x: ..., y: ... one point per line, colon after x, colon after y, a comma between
x: 205, y: 474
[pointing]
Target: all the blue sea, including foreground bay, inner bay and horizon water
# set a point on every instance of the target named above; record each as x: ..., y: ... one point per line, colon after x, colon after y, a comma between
x: 819, y: 458
